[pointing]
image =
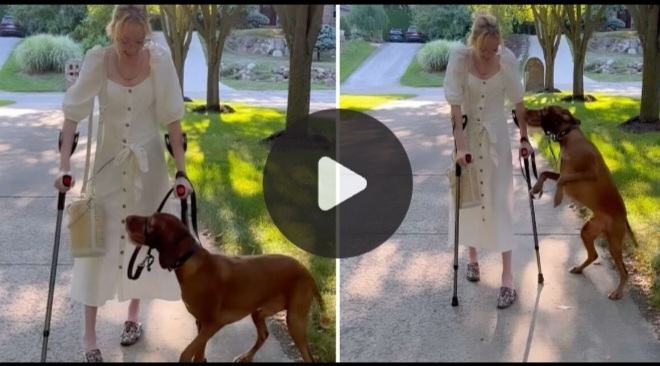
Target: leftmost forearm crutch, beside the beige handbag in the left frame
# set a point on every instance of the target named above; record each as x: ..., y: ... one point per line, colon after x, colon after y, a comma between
x: 66, y: 180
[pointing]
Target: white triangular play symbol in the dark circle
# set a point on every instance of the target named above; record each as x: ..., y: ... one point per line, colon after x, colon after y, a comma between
x: 349, y: 185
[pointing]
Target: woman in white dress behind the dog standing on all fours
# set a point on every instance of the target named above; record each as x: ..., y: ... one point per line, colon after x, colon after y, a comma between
x: 138, y: 92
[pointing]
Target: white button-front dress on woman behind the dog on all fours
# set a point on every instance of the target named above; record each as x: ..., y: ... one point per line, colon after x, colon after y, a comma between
x: 135, y: 180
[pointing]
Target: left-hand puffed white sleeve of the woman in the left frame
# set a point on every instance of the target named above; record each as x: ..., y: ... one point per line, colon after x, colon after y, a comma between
x: 78, y: 99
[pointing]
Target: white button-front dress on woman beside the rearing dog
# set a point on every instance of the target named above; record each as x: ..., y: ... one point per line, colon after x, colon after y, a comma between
x: 489, y: 225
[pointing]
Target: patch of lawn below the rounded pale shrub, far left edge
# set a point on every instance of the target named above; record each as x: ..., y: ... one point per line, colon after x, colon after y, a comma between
x: 12, y: 79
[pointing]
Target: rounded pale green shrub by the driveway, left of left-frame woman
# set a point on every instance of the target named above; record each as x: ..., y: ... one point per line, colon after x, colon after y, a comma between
x: 46, y: 53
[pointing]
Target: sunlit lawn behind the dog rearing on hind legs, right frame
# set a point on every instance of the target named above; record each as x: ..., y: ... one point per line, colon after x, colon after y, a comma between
x: 633, y: 159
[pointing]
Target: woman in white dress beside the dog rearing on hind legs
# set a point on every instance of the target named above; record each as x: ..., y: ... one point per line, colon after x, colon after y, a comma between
x: 478, y: 79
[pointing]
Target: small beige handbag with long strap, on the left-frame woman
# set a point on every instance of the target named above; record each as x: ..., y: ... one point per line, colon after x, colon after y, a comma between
x: 86, y: 215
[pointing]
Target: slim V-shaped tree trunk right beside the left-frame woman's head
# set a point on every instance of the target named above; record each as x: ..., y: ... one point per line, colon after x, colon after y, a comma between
x: 178, y: 29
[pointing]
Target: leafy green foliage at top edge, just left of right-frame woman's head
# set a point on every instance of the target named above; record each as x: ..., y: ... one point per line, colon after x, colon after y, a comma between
x: 449, y: 22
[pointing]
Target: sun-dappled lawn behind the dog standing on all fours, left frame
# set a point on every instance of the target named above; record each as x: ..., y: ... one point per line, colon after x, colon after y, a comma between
x: 225, y: 162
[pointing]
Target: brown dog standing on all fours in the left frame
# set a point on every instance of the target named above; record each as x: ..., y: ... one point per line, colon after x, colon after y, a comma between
x: 218, y: 290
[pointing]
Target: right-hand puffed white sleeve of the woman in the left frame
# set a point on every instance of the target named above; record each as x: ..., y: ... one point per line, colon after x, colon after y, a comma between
x: 169, y: 99
